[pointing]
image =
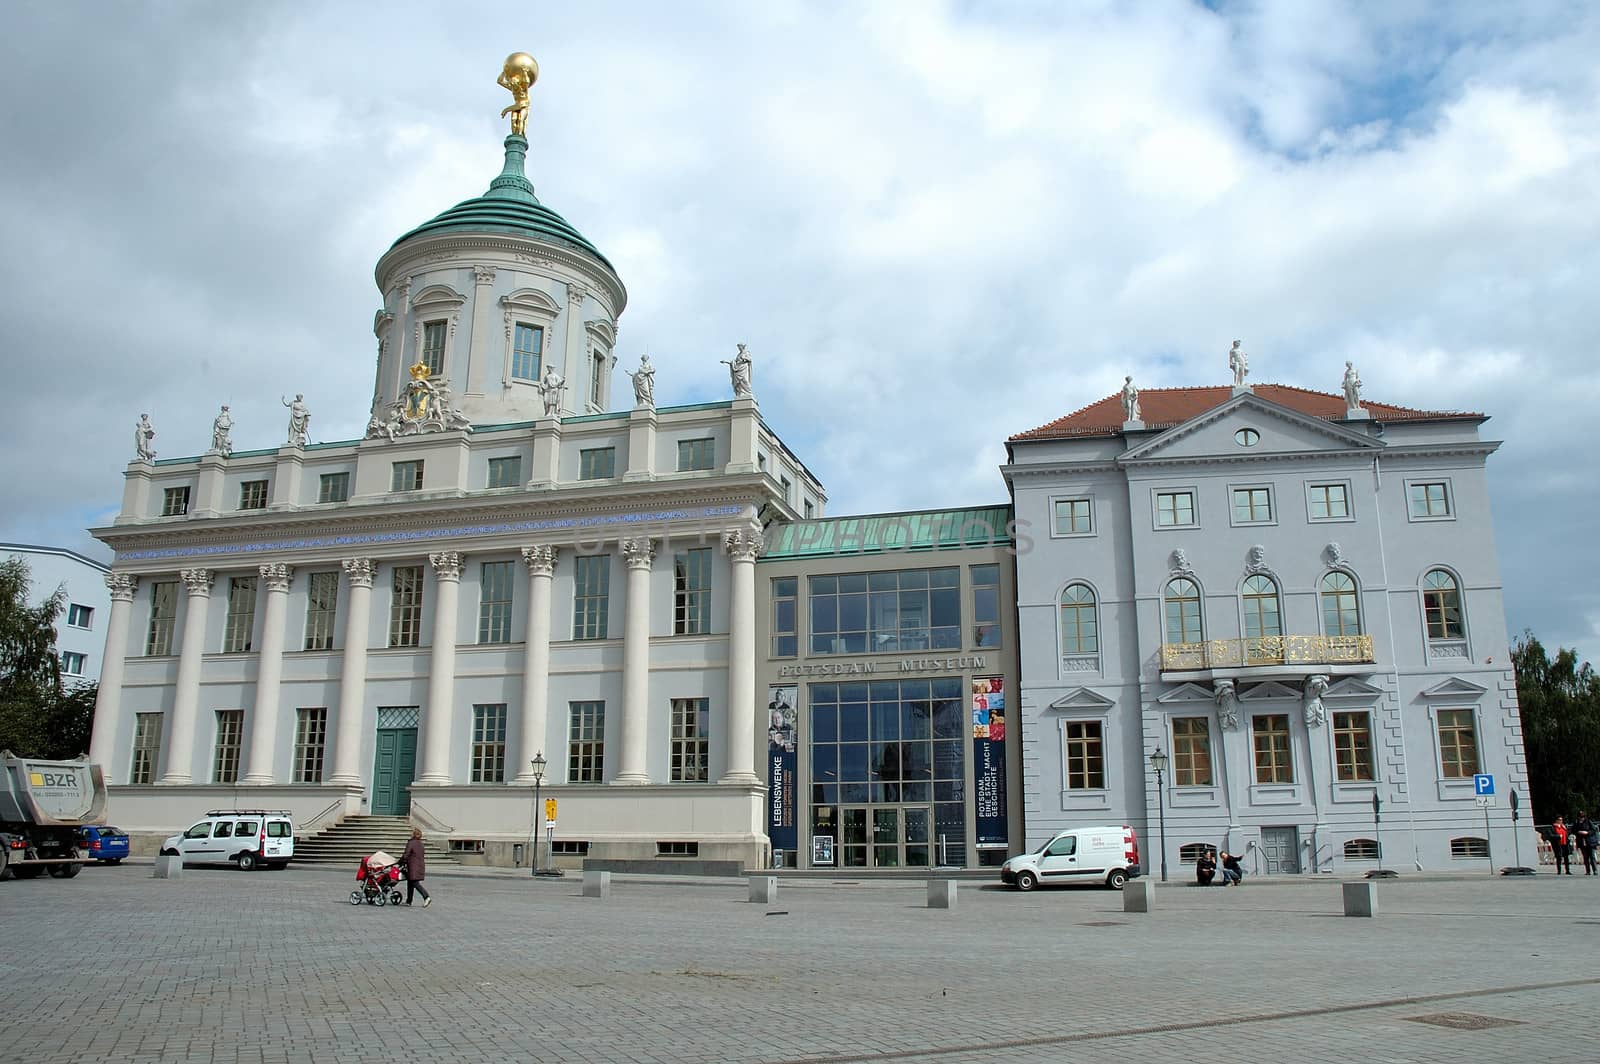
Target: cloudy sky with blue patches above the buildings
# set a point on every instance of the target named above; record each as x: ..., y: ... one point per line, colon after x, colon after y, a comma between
x: 935, y: 225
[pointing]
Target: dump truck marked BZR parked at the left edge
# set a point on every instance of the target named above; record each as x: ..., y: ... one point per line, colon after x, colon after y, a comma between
x: 42, y: 809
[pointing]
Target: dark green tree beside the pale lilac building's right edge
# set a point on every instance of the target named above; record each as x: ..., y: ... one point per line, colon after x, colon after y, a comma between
x: 1561, y: 729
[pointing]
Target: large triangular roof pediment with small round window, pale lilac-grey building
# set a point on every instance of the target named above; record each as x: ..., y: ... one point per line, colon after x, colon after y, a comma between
x: 1281, y: 431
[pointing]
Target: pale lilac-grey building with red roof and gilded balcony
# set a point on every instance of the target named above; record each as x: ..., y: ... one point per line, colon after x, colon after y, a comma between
x: 1292, y: 596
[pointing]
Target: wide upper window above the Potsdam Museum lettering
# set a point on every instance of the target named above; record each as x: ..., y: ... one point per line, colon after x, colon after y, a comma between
x: 857, y: 614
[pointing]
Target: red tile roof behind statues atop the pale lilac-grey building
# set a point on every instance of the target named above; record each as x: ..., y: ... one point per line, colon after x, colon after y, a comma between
x: 1167, y: 407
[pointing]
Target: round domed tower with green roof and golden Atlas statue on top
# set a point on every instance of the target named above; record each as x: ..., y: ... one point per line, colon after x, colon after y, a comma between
x: 495, y: 294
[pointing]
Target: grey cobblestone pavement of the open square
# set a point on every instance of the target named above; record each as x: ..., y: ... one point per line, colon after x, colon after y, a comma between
x: 278, y: 967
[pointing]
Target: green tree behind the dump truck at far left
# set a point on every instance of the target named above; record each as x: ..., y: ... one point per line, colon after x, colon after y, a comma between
x: 39, y: 714
